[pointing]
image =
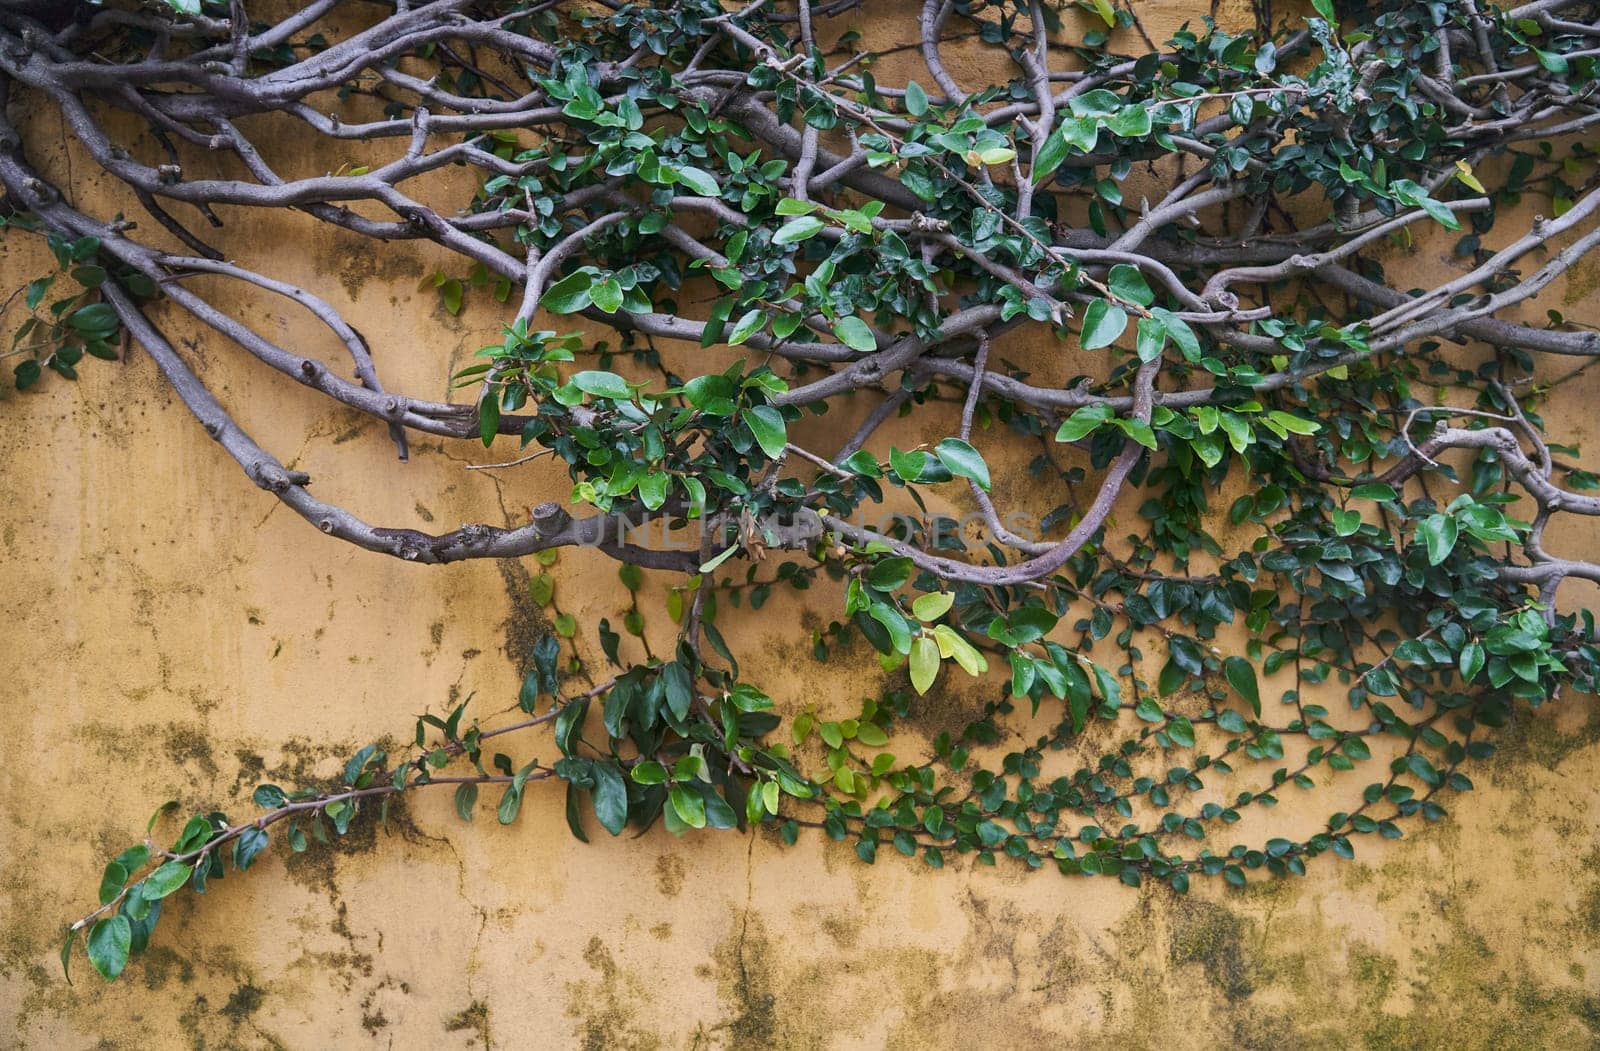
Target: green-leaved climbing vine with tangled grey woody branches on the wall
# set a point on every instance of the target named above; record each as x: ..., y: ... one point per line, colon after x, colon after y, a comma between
x: 799, y: 255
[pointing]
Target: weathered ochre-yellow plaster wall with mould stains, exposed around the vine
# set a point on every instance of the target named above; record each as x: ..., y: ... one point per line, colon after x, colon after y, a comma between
x: 172, y: 634
